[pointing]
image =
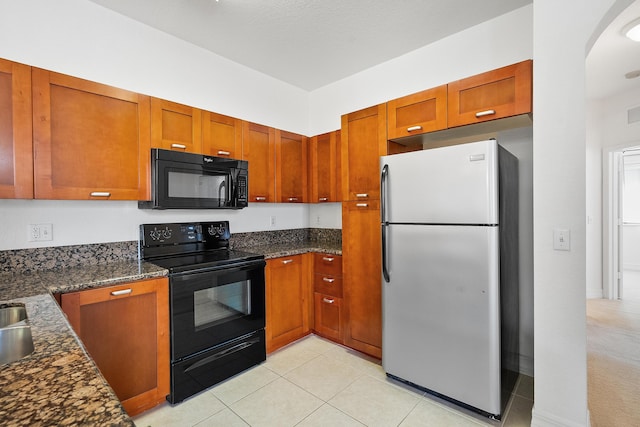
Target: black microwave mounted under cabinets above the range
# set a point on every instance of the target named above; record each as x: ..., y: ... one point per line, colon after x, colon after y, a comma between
x: 195, y: 181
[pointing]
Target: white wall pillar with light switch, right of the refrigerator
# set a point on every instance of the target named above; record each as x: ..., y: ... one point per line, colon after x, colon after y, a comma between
x: 563, y: 32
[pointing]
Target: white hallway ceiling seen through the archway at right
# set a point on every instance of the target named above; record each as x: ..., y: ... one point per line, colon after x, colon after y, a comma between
x: 612, y: 56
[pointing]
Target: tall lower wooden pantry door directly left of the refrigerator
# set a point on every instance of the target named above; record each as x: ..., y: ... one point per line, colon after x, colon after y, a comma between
x: 361, y: 246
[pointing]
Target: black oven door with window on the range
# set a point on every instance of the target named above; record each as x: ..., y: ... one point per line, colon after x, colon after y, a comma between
x: 211, y: 307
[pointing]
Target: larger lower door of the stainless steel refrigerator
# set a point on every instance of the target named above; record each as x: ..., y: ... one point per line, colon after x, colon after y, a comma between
x: 441, y: 326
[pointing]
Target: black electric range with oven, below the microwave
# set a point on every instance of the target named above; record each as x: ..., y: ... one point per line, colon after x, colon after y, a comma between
x: 216, y: 303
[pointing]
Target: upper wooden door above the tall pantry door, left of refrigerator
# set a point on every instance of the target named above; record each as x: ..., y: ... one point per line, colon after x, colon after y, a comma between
x: 364, y: 140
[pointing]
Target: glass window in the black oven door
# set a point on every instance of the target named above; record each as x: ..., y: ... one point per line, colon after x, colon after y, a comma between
x: 219, y: 304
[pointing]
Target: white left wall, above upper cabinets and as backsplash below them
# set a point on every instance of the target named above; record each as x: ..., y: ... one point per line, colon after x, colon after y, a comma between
x: 80, y: 38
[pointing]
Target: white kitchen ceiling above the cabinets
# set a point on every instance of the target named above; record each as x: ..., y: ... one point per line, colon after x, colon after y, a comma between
x: 311, y: 43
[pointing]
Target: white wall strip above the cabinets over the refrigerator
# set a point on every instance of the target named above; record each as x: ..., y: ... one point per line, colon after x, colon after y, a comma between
x: 475, y: 50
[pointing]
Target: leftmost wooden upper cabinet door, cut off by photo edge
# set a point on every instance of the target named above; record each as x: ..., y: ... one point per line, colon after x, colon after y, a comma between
x: 16, y: 149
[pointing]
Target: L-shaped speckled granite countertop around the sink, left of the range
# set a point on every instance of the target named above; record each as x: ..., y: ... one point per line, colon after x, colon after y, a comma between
x: 59, y: 384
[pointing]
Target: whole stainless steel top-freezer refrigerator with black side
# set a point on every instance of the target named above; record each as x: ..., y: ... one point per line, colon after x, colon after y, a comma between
x: 450, y: 272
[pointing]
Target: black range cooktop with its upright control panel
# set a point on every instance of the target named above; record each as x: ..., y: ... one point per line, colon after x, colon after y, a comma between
x: 181, y: 247
